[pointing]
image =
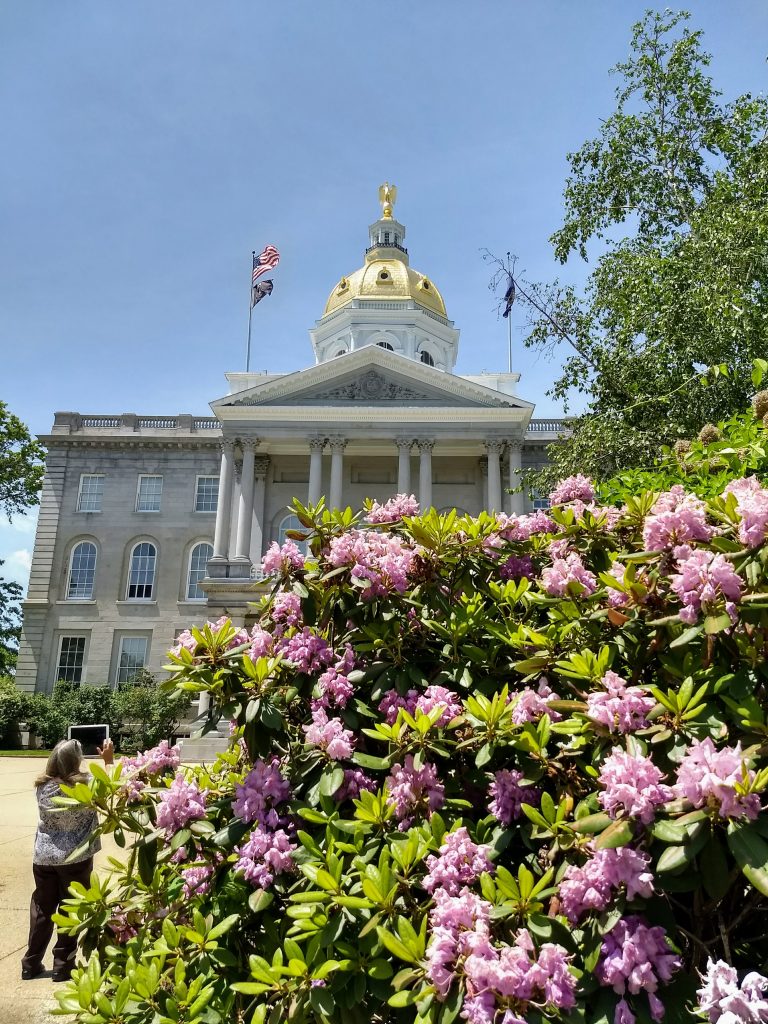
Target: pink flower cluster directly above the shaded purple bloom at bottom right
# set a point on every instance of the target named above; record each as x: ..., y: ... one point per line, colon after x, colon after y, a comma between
x: 592, y: 886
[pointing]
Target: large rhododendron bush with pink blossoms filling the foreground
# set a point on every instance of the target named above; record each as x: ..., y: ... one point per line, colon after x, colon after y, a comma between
x: 505, y: 770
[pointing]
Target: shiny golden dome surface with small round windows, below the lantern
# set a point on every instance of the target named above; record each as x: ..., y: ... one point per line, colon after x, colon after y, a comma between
x: 383, y: 279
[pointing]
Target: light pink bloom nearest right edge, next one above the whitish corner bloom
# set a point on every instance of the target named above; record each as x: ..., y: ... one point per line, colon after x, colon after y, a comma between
x: 707, y: 777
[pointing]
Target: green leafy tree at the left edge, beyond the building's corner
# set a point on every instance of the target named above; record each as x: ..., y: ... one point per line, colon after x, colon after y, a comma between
x: 21, y: 480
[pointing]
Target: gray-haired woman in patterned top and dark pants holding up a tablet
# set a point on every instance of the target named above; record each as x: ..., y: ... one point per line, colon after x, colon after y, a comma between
x: 60, y: 832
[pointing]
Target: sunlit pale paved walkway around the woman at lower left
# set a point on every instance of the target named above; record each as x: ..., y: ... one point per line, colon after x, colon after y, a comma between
x: 22, y: 1002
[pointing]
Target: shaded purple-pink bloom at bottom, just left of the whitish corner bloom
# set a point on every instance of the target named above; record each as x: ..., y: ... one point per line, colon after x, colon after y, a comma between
x: 635, y: 958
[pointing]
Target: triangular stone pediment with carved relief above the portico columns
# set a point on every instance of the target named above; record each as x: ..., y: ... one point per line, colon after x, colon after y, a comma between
x: 372, y: 377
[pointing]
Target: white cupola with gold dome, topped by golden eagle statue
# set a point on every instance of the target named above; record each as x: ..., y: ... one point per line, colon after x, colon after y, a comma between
x: 387, y: 303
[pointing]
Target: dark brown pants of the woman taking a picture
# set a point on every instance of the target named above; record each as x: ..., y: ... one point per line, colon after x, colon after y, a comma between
x: 52, y: 887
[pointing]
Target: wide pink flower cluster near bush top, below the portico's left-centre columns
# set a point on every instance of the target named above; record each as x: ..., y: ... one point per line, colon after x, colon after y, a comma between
x: 382, y: 561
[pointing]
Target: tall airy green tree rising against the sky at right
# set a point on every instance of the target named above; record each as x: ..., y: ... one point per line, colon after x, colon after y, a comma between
x: 668, y: 205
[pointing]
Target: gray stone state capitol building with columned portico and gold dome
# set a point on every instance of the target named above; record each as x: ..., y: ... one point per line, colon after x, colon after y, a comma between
x: 150, y: 524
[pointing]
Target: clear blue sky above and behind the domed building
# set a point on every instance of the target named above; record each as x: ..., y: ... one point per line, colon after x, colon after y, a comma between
x: 149, y: 147
